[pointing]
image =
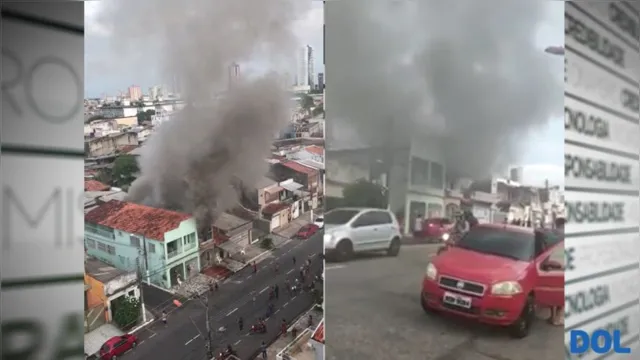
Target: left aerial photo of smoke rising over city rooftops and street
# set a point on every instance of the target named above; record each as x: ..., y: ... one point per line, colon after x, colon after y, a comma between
x: 204, y: 180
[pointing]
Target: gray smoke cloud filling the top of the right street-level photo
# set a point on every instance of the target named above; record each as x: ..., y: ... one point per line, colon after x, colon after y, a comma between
x: 468, y: 75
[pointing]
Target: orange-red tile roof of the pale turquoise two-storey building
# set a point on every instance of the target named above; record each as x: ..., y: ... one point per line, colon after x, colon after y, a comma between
x: 136, y: 219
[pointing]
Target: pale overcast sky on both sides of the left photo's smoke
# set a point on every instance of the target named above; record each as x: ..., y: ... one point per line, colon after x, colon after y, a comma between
x: 102, y: 78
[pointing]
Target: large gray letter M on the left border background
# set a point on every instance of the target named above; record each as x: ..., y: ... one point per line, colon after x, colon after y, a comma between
x: 11, y: 202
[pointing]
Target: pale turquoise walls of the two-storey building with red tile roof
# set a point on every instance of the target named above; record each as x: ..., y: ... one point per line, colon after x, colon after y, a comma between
x: 175, y: 256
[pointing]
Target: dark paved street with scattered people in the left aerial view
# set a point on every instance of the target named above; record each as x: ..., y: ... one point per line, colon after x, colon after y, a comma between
x: 181, y: 339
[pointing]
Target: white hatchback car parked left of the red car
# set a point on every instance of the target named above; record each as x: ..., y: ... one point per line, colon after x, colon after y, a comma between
x: 352, y: 230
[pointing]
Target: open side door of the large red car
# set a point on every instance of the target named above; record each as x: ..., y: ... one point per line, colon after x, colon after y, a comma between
x: 549, y: 288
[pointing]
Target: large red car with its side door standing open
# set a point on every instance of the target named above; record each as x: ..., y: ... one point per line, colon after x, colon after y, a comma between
x: 497, y: 274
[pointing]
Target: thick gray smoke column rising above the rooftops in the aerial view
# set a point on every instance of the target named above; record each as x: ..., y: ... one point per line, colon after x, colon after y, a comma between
x: 220, y: 139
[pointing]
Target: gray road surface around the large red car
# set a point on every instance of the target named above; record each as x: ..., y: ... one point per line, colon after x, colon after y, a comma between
x: 374, y: 313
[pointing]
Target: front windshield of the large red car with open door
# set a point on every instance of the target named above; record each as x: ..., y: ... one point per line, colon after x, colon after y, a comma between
x: 508, y: 244
